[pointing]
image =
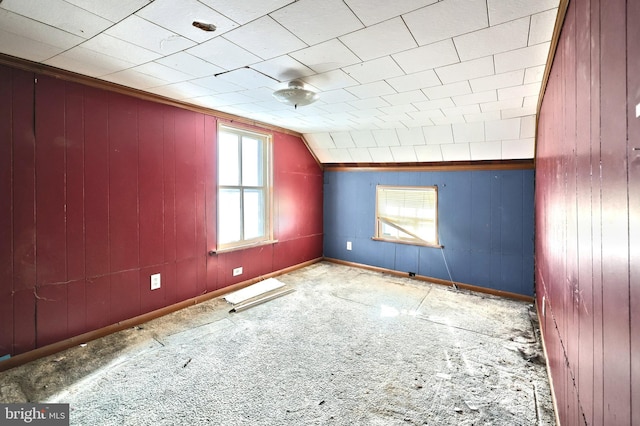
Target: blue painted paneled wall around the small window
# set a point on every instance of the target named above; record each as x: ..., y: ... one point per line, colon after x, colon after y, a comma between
x: 486, y: 224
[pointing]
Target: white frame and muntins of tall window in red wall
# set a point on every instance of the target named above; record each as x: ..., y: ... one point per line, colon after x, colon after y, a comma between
x: 266, y: 188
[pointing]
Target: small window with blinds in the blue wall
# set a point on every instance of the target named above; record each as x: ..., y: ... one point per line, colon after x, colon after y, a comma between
x: 407, y: 214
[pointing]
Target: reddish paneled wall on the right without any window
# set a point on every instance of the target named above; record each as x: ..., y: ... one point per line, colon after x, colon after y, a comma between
x: 588, y: 215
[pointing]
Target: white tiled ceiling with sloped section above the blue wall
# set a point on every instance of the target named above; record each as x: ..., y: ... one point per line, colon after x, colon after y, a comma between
x: 405, y: 81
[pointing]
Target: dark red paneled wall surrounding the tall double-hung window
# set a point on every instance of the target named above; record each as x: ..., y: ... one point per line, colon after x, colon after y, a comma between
x: 100, y: 190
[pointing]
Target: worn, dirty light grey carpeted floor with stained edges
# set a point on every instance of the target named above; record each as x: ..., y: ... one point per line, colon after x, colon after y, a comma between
x: 347, y: 347
